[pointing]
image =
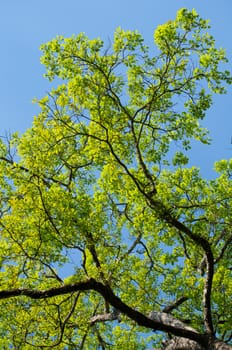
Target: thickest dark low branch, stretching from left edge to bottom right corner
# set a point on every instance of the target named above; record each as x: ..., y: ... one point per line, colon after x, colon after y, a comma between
x: 185, y: 337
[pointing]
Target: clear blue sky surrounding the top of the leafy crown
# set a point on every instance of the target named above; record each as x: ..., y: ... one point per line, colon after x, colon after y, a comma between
x: 26, y: 24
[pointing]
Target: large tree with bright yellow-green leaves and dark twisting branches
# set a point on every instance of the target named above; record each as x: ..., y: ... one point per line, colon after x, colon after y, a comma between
x: 99, y: 190
